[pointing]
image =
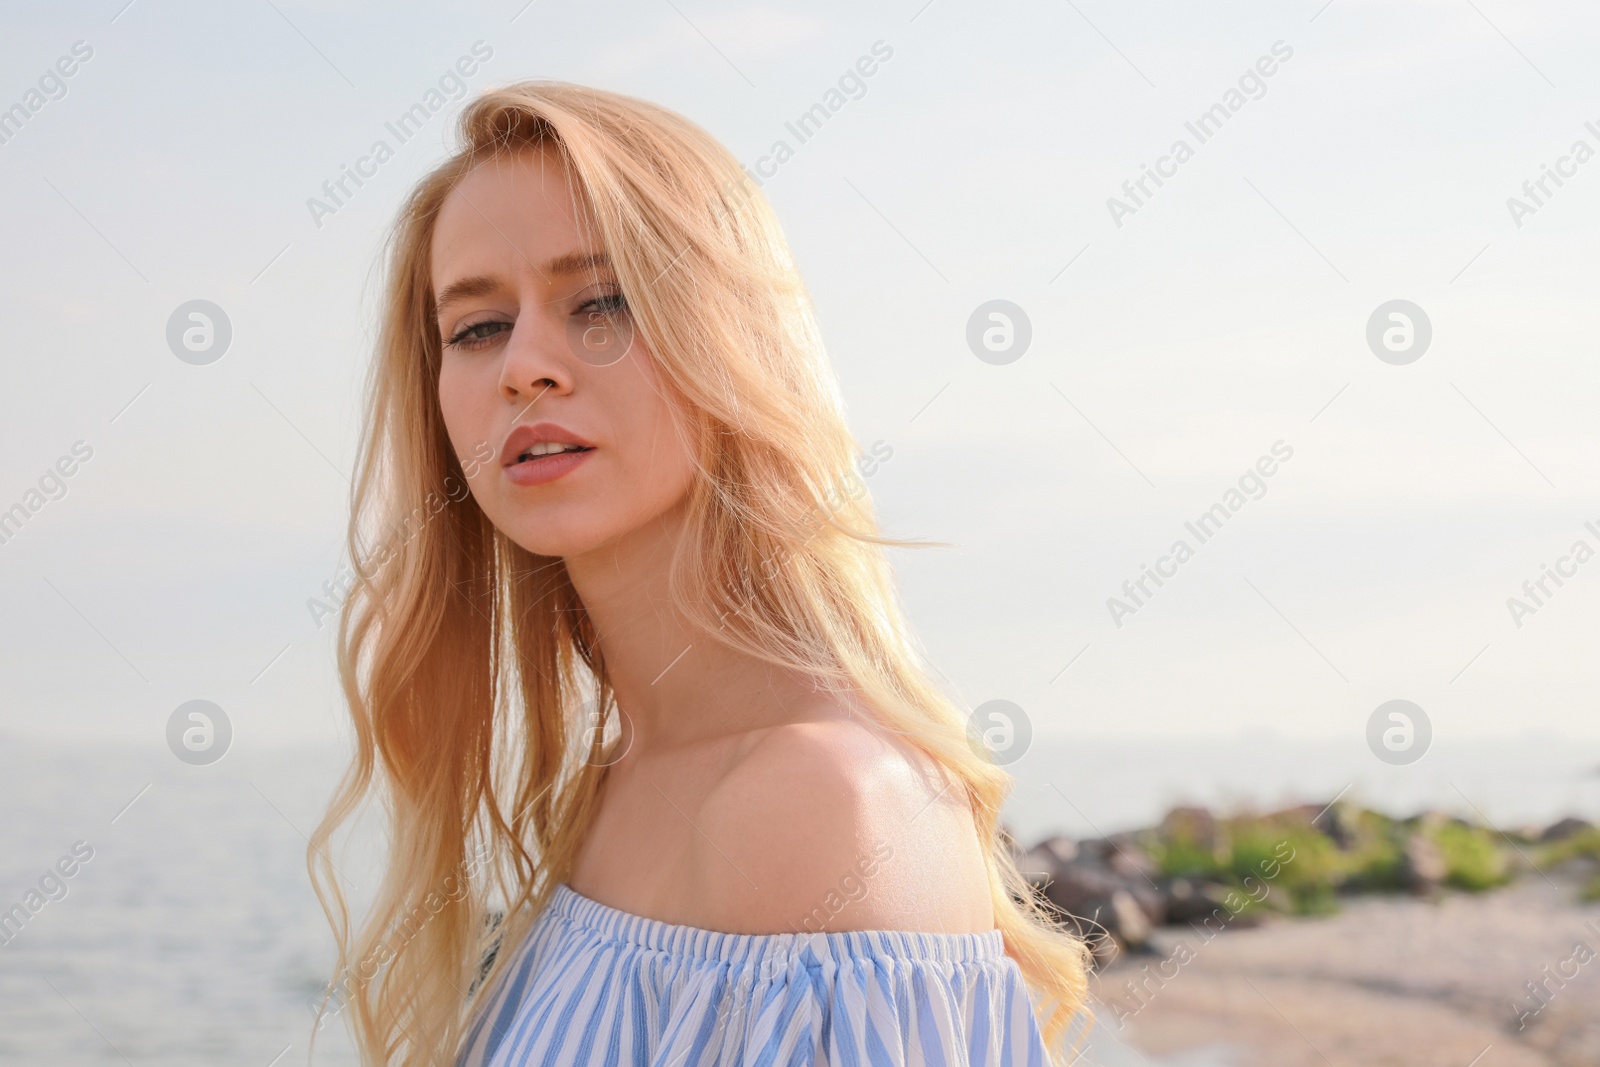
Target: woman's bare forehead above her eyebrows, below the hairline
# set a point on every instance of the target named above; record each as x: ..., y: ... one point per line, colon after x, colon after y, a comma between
x: 508, y: 214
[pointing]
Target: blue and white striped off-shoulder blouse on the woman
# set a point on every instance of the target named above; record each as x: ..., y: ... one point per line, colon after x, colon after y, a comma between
x: 594, y: 985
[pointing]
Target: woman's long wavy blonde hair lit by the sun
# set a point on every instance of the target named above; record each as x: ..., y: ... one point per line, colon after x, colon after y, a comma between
x: 466, y: 658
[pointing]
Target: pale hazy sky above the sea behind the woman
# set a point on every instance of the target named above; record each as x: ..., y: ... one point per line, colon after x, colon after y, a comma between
x: 1180, y: 335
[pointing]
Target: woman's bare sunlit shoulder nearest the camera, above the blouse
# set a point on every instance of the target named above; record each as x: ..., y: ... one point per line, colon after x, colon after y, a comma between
x: 838, y: 825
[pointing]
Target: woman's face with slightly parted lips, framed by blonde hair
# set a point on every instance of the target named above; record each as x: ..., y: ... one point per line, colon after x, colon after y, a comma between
x: 543, y: 370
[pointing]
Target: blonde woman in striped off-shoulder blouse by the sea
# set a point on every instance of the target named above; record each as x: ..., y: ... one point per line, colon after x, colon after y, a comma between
x: 665, y: 777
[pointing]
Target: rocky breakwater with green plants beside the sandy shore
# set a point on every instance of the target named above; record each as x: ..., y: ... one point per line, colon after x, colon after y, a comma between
x: 1214, y: 873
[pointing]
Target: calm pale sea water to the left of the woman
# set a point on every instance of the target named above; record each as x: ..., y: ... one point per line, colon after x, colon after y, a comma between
x: 190, y: 938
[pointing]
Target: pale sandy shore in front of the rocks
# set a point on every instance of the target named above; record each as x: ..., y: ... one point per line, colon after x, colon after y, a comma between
x: 1386, y: 981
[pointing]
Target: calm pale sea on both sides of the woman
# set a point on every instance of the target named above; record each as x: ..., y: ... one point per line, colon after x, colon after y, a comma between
x: 191, y: 937
